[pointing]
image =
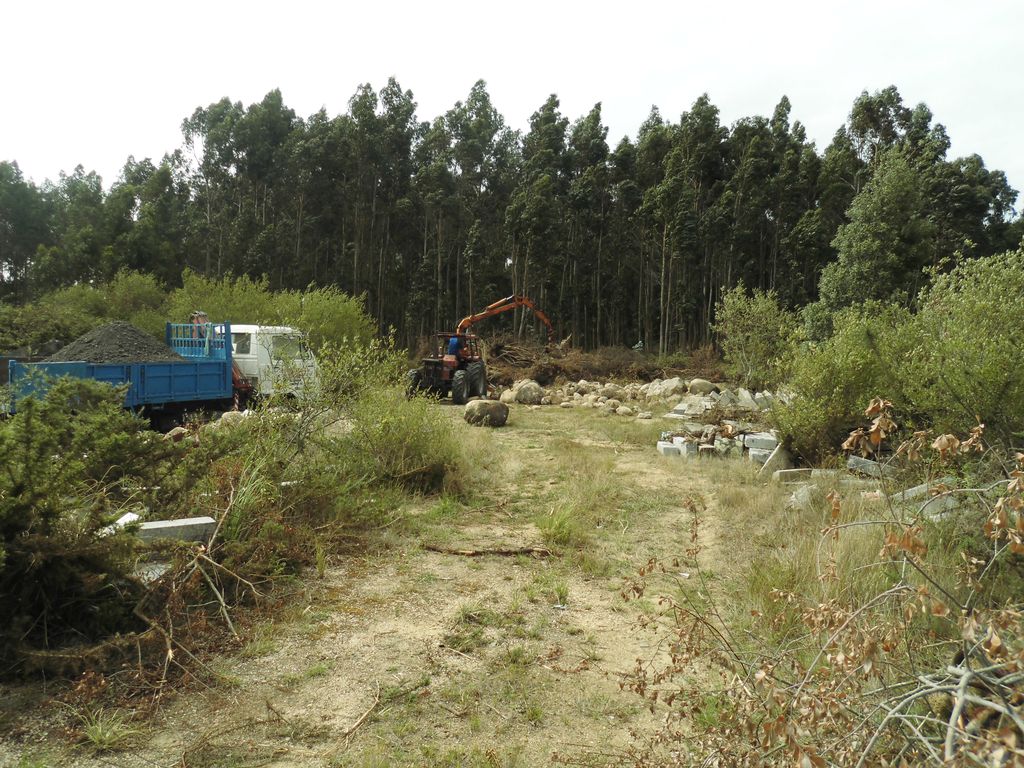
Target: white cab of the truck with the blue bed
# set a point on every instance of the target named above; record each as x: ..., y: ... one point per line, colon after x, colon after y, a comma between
x: 274, y: 359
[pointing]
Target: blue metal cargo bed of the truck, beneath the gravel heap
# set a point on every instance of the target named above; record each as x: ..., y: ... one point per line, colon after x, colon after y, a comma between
x: 203, y: 380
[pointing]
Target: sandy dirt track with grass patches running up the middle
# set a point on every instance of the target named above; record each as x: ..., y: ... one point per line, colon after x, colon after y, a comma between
x: 446, y: 649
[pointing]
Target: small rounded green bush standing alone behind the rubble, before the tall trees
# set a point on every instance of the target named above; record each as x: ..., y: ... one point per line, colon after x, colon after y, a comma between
x: 757, y: 336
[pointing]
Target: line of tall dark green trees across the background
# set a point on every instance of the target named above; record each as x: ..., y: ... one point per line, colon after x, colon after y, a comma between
x: 431, y: 221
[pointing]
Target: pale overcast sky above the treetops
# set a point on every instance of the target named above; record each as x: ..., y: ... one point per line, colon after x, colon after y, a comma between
x: 92, y: 83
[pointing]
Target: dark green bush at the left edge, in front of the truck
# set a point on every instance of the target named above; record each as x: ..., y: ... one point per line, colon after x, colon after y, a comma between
x: 70, y: 465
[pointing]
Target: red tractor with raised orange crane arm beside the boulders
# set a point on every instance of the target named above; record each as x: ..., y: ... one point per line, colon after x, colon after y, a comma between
x: 456, y: 365
